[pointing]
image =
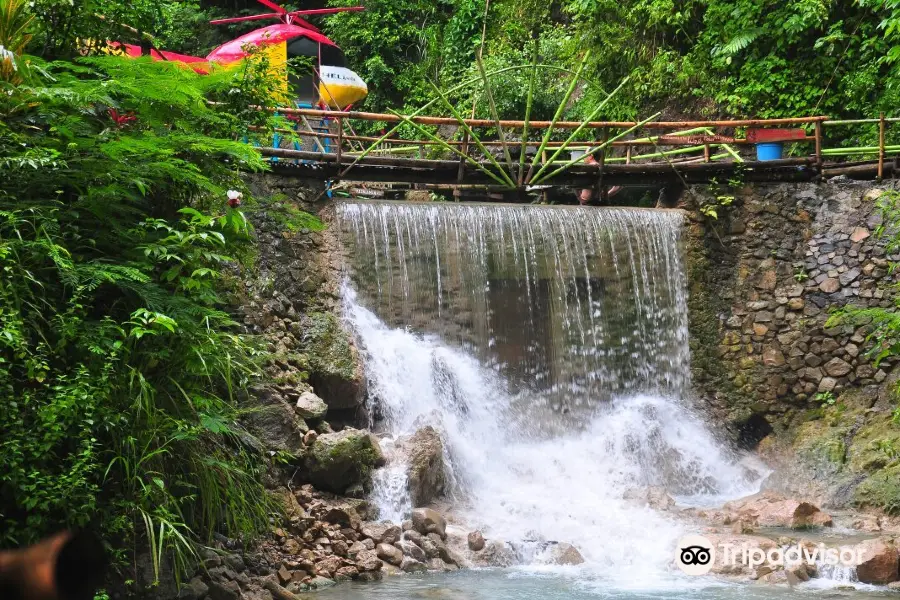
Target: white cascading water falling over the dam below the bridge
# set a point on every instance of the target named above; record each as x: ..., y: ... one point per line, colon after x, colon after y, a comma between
x: 549, y: 346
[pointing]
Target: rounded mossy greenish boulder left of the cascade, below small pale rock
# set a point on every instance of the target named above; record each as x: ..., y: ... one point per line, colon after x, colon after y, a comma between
x: 337, y: 461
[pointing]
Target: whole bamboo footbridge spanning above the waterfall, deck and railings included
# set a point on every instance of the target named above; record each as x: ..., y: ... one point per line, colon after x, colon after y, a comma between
x: 453, y: 152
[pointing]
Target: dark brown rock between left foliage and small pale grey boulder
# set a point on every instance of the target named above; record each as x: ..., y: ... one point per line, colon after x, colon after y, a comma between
x: 275, y: 424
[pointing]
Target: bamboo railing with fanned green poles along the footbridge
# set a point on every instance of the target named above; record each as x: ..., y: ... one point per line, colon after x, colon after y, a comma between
x: 618, y: 146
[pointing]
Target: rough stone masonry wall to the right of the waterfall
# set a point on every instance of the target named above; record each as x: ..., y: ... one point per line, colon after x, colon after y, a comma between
x: 763, y: 278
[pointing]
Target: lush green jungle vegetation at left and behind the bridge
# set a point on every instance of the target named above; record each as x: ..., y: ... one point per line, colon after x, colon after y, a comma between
x: 122, y: 370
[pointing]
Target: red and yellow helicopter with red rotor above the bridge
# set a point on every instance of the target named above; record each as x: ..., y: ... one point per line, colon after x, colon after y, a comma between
x: 330, y: 85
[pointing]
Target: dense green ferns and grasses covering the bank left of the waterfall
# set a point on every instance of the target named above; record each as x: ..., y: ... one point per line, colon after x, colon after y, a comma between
x: 122, y: 375
